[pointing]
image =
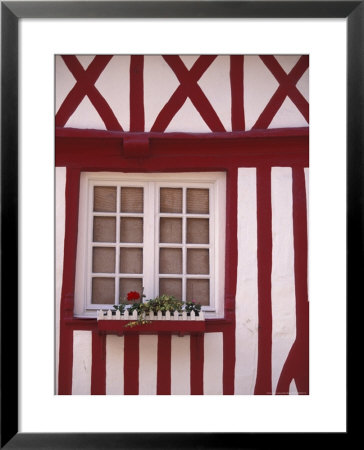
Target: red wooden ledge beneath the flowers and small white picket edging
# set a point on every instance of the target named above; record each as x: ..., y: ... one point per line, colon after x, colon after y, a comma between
x: 179, y: 327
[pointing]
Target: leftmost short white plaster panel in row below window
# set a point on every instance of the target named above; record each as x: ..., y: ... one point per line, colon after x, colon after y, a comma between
x: 82, y: 360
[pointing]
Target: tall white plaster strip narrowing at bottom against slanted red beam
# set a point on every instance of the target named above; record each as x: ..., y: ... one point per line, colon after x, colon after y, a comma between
x: 283, y: 280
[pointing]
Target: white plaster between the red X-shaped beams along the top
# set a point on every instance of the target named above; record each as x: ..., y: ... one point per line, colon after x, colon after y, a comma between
x: 160, y: 83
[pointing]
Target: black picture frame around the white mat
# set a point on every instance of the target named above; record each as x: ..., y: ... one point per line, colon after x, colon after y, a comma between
x: 11, y: 12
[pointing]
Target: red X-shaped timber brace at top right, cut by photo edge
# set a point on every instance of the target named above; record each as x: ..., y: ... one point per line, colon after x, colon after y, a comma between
x: 287, y: 88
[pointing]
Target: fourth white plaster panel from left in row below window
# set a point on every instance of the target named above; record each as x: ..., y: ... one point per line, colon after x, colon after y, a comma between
x: 180, y: 365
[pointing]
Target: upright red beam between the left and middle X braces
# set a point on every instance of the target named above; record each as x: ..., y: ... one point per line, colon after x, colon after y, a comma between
x: 136, y: 93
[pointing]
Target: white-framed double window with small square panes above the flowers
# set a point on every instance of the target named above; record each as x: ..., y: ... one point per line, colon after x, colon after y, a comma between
x: 161, y: 232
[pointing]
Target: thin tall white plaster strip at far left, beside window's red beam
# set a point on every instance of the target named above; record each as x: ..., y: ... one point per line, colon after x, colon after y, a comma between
x: 60, y: 186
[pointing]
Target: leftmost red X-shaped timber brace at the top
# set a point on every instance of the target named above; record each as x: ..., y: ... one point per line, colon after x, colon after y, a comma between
x: 85, y: 86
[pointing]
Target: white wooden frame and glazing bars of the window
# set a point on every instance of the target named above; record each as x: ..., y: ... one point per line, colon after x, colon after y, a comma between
x: 152, y: 182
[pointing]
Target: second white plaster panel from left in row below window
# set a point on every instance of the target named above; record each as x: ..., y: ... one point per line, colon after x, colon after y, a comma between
x: 114, y: 365
